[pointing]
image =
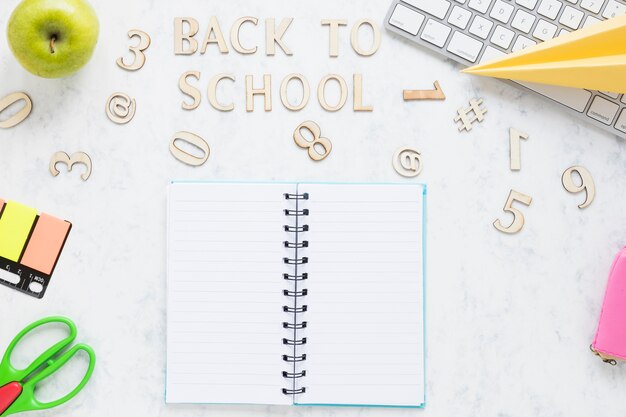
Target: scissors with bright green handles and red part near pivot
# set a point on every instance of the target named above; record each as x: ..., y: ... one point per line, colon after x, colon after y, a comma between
x: 17, y: 387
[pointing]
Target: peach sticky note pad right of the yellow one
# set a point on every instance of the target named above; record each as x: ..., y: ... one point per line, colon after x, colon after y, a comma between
x: 45, y: 243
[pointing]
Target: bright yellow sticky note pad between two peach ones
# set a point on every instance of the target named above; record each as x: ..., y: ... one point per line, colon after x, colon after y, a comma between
x: 15, y: 225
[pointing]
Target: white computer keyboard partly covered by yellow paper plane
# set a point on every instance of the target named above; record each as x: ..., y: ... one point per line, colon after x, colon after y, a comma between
x: 474, y: 31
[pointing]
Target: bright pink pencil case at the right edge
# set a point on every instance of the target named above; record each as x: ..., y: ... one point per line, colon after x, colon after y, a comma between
x: 610, y: 340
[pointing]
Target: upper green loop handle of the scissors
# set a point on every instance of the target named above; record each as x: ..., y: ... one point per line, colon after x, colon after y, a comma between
x: 8, y: 373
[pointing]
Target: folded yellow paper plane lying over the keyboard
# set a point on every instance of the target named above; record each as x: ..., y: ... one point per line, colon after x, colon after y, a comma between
x: 593, y: 57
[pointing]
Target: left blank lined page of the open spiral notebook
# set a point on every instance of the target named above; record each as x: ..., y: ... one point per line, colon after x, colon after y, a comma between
x: 224, y: 320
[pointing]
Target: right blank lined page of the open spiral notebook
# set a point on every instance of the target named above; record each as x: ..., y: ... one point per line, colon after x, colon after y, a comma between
x: 365, y: 302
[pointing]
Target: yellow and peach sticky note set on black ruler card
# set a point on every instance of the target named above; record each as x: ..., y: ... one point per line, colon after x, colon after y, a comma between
x: 30, y: 246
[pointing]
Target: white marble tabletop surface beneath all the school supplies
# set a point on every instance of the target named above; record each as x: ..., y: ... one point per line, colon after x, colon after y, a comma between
x: 509, y: 318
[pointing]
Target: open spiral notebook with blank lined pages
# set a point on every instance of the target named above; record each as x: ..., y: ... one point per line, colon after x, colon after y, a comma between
x: 296, y: 294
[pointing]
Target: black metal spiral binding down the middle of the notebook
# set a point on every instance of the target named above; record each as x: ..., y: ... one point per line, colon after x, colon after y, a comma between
x: 295, y: 291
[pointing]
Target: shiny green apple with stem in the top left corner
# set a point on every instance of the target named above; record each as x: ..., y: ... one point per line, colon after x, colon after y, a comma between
x: 53, y: 38
